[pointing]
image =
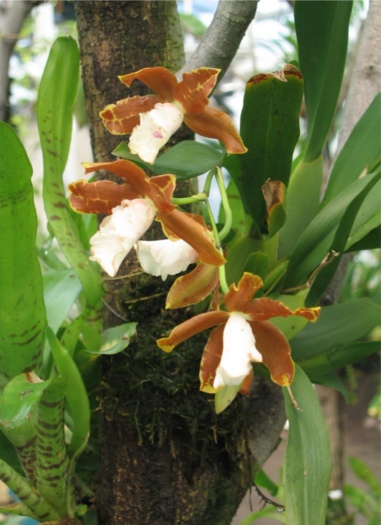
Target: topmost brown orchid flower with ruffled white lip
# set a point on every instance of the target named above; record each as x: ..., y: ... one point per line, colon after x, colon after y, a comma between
x: 152, y: 119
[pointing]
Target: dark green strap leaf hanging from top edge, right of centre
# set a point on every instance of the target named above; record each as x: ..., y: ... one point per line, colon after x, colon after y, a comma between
x: 322, y: 38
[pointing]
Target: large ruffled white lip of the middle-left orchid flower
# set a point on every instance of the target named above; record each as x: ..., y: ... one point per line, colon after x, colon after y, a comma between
x: 119, y: 232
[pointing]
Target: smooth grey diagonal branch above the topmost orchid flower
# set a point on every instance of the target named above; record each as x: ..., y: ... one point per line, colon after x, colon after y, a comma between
x: 222, y: 39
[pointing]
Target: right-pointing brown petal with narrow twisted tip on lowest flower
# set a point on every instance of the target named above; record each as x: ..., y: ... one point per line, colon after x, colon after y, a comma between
x: 265, y: 308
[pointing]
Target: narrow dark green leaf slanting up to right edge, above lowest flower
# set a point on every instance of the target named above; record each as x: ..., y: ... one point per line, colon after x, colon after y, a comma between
x: 326, y: 274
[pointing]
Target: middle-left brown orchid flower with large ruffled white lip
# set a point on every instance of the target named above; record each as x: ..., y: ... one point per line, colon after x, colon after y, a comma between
x: 131, y: 208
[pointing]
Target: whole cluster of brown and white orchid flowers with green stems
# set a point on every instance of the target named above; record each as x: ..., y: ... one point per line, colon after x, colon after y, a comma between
x: 241, y: 332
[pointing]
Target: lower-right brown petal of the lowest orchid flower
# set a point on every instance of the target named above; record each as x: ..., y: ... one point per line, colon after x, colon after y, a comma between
x: 276, y: 352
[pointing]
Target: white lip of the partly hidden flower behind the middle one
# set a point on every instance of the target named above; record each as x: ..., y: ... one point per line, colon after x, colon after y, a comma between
x: 165, y: 257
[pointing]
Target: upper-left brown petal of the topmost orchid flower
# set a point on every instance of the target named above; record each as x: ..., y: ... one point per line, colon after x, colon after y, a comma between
x: 159, y: 79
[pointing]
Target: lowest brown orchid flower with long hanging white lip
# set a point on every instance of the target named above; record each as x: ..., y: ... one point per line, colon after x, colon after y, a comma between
x: 241, y: 335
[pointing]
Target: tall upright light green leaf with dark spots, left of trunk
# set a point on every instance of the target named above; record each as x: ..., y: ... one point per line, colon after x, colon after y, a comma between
x: 56, y: 96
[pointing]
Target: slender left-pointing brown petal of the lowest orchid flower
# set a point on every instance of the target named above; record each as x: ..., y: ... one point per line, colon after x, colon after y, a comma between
x: 191, y: 327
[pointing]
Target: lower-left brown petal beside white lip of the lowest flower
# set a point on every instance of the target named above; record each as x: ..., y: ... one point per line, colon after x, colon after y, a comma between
x: 211, y: 359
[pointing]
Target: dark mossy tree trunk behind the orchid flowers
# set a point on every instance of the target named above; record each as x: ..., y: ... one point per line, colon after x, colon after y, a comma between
x: 165, y: 456
